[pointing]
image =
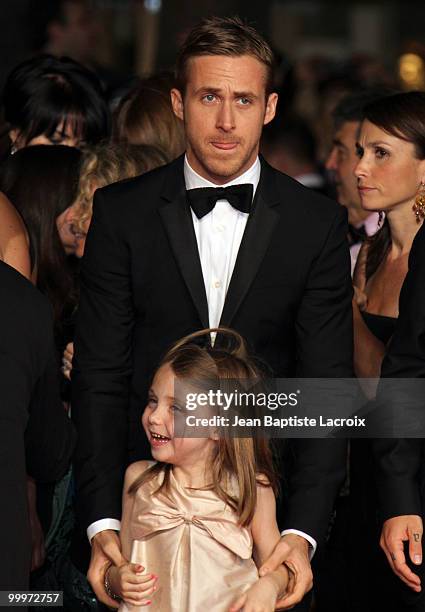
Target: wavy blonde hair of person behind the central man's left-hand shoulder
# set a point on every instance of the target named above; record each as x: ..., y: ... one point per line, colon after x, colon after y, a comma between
x: 106, y: 164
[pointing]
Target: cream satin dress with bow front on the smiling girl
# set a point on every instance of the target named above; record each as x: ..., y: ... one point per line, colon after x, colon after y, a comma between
x: 192, y: 541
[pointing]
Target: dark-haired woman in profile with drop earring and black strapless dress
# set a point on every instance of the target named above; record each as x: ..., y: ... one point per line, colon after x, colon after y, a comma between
x: 391, y: 181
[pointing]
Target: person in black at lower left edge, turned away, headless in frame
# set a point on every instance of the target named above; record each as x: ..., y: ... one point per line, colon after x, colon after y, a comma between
x: 36, y: 436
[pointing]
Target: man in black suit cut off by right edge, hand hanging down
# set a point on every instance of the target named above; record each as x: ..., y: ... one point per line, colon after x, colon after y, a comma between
x: 400, y: 461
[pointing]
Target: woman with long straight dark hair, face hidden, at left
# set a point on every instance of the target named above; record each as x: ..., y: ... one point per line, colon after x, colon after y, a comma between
x: 42, y: 183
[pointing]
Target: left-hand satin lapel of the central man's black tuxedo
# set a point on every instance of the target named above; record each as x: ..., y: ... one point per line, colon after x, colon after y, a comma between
x: 176, y: 217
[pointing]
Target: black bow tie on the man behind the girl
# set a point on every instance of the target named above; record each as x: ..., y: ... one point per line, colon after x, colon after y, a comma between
x: 203, y: 200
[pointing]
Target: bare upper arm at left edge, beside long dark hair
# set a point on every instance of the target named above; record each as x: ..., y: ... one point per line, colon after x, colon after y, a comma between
x: 14, y: 244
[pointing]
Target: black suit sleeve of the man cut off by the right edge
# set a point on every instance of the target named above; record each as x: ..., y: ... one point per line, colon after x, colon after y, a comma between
x: 401, y: 462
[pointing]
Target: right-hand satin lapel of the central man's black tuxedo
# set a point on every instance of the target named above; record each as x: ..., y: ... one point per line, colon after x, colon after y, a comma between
x: 258, y: 232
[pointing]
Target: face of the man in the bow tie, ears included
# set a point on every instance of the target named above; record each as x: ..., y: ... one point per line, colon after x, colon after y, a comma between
x: 224, y: 108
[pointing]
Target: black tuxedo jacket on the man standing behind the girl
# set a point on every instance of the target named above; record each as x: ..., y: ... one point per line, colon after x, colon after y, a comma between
x: 142, y: 289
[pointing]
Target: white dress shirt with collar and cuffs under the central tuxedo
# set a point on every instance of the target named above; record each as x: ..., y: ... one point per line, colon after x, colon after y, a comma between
x: 219, y: 235
